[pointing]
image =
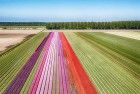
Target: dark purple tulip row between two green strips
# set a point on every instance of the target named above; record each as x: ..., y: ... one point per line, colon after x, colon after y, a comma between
x: 17, y: 84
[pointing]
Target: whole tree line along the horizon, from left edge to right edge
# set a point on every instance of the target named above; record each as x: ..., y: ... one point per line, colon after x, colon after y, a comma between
x: 79, y: 25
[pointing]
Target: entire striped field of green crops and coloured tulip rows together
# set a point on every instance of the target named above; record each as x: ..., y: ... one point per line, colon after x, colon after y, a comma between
x: 72, y: 63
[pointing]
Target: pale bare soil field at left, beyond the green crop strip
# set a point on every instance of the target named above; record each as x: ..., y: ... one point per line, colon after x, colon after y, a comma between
x: 12, y: 37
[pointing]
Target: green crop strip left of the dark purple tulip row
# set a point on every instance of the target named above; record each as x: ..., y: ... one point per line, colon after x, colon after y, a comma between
x: 14, y: 60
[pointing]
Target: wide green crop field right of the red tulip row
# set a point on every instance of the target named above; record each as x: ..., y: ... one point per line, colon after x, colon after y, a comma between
x: 111, y: 61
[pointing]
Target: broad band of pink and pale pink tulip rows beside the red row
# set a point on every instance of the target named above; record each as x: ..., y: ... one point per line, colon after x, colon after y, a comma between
x: 52, y: 76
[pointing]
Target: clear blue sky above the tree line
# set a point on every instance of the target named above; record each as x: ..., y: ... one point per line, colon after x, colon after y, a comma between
x: 69, y: 10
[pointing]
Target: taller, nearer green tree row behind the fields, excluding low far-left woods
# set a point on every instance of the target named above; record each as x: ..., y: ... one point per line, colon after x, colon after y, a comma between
x: 94, y: 25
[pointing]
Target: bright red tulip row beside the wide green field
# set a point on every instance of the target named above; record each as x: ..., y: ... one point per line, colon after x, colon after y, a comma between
x: 79, y: 78
